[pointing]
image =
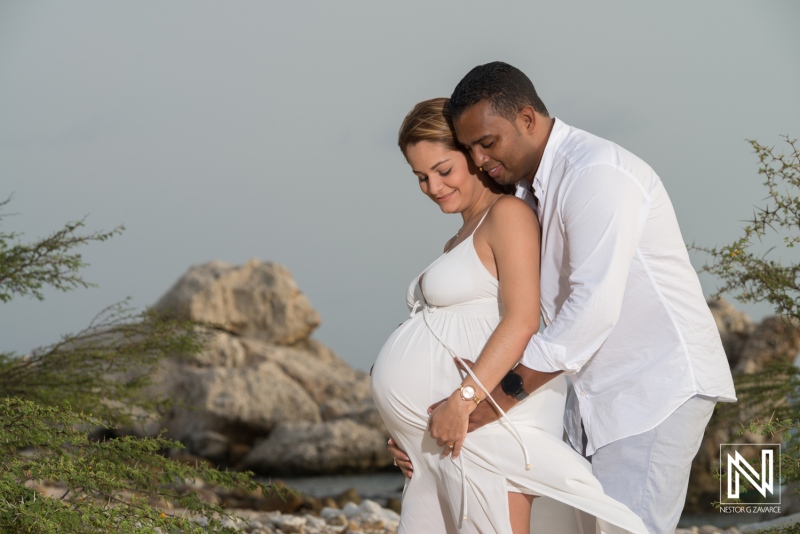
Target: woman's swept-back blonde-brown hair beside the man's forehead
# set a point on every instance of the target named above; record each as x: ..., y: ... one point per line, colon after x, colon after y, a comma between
x: 430, y: 120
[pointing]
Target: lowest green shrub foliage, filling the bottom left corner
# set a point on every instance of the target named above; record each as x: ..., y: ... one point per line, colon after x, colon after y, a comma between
x: 120, y: 484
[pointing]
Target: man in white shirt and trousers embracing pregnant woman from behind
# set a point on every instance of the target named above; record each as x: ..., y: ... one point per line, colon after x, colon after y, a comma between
x: 624, y: 313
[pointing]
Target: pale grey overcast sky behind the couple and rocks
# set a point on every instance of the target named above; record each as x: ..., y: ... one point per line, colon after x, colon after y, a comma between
x: 233, y: 130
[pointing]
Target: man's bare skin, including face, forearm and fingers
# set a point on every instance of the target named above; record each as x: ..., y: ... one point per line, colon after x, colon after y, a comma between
x: 509, y: 151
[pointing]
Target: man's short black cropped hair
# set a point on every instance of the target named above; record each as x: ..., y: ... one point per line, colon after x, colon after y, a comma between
x: 506, y: 88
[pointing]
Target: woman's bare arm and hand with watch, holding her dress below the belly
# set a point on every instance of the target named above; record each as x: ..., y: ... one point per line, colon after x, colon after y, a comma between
x: 508, y: 245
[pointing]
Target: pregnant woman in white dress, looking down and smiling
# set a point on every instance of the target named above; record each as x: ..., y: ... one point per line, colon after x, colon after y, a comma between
x: 478, y: 302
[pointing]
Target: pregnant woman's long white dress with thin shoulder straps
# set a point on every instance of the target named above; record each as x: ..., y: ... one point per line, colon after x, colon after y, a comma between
x: 455, y: 306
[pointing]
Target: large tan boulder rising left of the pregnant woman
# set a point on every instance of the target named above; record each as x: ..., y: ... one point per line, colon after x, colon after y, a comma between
x: 263, y: 394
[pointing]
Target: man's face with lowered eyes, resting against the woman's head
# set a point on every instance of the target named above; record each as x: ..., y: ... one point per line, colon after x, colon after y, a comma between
x: 503, y: 148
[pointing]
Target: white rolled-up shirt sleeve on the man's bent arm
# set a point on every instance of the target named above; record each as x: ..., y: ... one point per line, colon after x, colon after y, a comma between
x: 602, y: 213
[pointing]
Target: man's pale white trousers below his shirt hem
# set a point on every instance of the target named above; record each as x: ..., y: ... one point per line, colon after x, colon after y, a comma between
x: 649, y: 472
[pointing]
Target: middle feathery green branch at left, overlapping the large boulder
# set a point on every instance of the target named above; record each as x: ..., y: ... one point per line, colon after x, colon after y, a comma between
x: 106, y: 368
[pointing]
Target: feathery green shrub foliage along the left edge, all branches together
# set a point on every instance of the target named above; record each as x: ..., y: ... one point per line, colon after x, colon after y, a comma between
x: 122, y: 485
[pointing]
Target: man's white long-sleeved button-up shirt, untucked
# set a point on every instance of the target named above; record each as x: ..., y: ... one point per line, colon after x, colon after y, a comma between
x: 623, y: 309
